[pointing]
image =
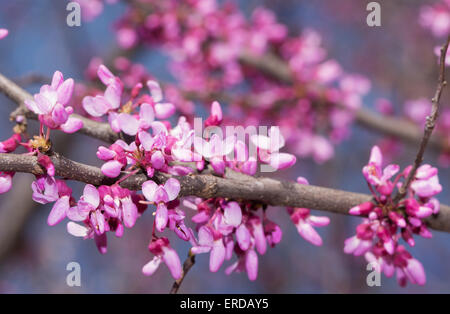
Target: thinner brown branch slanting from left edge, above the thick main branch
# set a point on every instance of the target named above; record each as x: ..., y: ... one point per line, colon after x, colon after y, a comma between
x: 101, y: 131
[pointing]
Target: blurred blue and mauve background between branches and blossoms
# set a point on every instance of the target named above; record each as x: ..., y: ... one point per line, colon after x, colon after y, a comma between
x: 397, y: 57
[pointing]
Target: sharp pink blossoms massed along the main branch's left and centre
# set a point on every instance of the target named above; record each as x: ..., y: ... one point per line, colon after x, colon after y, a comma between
x: 223, y: 227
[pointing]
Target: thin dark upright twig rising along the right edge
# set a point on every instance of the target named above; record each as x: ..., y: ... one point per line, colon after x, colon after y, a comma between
x: 429, y: 125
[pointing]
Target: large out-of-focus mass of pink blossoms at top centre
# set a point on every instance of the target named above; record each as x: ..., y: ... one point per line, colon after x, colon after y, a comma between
x: 206, y: 42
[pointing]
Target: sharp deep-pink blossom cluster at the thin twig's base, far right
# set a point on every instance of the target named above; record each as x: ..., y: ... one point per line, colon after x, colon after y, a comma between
x: 388, y: 220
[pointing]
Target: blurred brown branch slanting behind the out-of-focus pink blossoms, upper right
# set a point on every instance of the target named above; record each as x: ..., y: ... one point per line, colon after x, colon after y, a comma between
x: 272, y: 66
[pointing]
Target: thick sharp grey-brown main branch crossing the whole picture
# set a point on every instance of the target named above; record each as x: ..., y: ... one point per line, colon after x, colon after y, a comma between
x: 234, y: 186
